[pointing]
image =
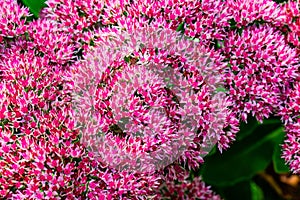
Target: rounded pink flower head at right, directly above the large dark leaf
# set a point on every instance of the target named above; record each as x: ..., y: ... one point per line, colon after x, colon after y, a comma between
x: 261, y: 66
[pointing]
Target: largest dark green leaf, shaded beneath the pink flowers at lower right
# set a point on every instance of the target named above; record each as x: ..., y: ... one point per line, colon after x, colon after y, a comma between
x: 243, y: 159
